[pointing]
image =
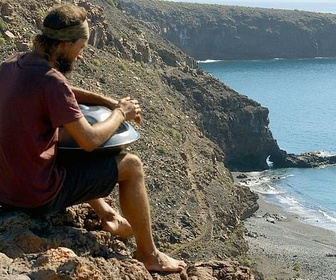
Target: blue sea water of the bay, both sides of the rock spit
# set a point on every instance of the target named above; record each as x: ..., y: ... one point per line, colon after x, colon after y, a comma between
x: 301, y: 97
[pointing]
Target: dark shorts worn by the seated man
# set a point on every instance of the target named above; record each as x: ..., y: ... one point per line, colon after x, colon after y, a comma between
x: 88, y: 176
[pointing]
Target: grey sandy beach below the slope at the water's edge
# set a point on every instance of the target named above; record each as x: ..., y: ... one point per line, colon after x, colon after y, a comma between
x: 283, y: 247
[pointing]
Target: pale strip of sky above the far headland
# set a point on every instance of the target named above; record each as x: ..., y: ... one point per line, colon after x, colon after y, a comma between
x: 323, y: 6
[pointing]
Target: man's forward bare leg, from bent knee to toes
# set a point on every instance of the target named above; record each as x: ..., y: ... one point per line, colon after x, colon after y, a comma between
x: 135, y: 207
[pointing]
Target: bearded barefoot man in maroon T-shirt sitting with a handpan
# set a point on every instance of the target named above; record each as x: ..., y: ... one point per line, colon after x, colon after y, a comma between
x: 35, y: 101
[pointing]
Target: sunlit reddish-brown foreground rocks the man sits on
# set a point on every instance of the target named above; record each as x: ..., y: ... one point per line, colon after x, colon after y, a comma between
x: 59, y: 248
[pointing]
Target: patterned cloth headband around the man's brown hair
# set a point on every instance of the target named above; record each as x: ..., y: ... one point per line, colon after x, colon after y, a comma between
x: 80, y: 31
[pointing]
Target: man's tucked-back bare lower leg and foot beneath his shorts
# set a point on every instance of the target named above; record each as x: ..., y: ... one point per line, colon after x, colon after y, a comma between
x: 111, y: 220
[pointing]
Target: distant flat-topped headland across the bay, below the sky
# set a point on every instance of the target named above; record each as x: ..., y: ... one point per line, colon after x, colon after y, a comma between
x: 227, y: 32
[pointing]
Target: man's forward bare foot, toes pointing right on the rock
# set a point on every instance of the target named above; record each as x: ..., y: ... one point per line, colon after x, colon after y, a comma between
x: 161, y: 262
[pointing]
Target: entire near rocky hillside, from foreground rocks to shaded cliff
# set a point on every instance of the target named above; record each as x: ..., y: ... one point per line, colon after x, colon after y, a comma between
x: 195, y: 205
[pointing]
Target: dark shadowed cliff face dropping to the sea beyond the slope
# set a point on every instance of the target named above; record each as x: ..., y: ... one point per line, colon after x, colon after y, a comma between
x: 238, y: 125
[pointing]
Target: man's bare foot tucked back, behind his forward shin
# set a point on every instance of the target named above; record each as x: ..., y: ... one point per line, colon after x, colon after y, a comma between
x: 118, y: 226
